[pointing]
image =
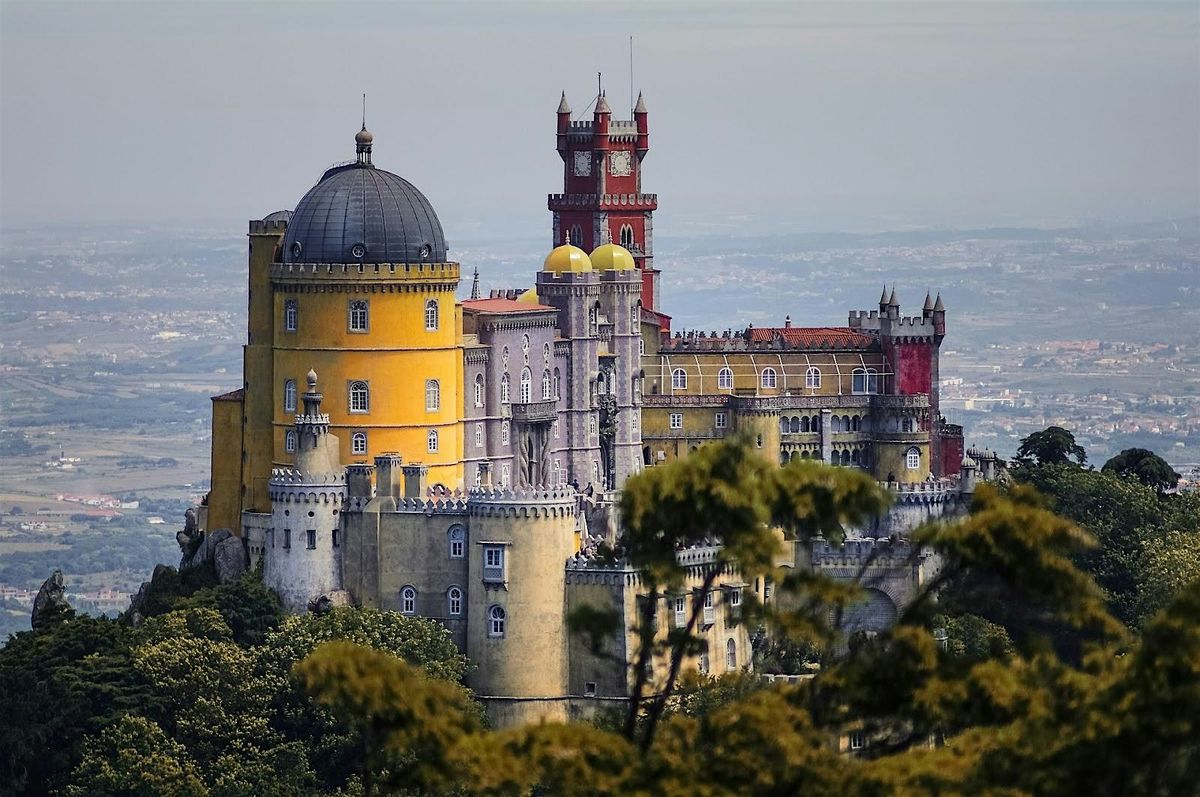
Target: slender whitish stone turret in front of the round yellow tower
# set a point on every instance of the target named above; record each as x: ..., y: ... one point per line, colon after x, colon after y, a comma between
x: 303, y: 547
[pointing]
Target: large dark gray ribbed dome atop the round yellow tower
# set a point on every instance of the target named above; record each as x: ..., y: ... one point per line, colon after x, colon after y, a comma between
x: 359, y: 214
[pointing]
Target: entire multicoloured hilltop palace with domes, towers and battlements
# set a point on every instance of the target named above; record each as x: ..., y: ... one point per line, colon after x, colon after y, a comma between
x: 394, y: 447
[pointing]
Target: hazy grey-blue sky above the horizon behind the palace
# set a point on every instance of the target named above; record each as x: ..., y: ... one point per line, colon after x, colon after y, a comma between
x: 764, y: 117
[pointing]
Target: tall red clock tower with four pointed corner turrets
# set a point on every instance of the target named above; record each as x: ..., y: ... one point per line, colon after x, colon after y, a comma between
x: 603, y: 201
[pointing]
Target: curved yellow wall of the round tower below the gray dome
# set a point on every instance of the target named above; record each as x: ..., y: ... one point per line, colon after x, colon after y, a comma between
x: 397, y: 350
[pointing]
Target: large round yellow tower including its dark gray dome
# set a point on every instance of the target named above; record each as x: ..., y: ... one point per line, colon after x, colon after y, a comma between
x: 356, y: 285
